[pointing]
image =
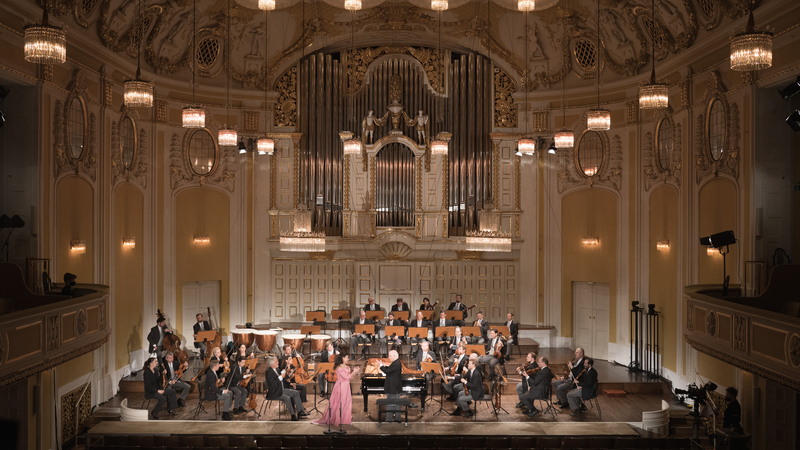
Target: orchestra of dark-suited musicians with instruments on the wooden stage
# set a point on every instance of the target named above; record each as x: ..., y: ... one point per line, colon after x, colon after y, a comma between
x: 230, y: 377
